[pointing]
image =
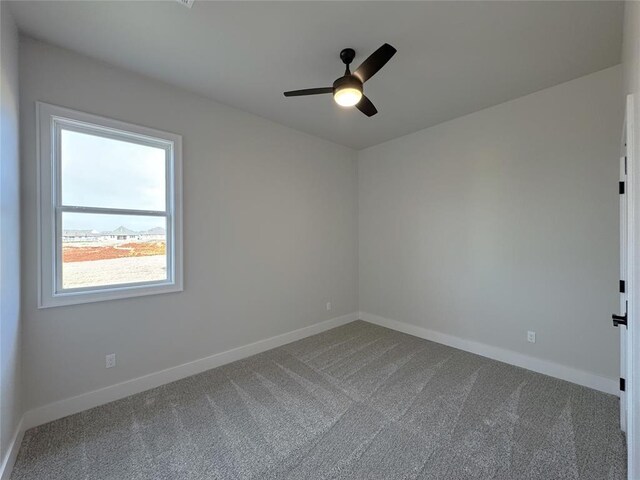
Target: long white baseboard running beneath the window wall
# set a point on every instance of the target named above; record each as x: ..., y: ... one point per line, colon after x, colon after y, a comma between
x: 85, y: 401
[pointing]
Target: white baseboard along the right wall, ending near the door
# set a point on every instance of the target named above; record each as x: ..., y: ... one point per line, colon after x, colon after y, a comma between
x: 570, y: 374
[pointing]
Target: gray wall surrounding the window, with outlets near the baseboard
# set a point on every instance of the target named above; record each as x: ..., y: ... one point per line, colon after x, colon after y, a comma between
x: 270, y: 229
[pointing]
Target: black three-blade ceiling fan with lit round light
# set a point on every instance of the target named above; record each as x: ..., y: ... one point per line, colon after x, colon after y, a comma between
x: 347, y: 90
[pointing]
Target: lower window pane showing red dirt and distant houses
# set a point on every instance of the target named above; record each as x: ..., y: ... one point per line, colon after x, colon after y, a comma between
x: 99, y: 250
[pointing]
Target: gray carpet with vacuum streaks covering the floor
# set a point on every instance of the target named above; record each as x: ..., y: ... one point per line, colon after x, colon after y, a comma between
x: 356, y: 402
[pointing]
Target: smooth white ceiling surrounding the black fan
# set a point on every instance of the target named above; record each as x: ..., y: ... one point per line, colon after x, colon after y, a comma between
x: 453, y: 58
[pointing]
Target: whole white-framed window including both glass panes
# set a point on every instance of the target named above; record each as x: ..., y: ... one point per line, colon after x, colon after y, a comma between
x: 109, y: 208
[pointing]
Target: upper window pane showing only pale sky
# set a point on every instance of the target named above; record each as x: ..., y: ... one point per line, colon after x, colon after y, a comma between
x: 102, y: 172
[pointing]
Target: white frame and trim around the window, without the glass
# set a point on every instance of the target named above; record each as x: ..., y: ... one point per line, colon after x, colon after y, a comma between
x: 50, y: 120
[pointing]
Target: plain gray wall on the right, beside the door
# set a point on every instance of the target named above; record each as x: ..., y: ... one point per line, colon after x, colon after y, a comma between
x: 503, y: 221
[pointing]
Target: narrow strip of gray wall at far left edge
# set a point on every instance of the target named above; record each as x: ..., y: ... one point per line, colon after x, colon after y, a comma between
x: 10, y: 338
